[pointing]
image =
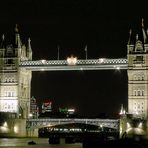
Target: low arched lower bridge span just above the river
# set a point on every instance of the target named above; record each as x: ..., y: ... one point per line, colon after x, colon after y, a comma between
x: 41, y: 122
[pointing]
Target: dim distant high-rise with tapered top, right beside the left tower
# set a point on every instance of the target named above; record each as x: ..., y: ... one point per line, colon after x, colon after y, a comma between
x: 34, y: 110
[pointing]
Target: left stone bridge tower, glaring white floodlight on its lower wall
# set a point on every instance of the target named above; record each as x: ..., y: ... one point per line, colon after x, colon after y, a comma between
x: 15, y: 83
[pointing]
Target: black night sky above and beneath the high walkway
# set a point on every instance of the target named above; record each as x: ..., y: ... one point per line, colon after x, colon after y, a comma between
x: 72, y: 24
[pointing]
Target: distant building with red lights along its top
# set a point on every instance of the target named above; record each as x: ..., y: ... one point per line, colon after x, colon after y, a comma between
x: 47, y: 106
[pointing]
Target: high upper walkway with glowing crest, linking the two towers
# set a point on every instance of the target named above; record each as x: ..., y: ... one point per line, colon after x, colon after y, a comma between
x: 74, y: 64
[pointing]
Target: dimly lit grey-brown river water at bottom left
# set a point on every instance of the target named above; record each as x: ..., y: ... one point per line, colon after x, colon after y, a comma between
x: 40, y: 143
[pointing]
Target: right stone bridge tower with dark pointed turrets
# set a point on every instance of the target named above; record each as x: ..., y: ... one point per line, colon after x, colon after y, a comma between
x: 138, y: 74
